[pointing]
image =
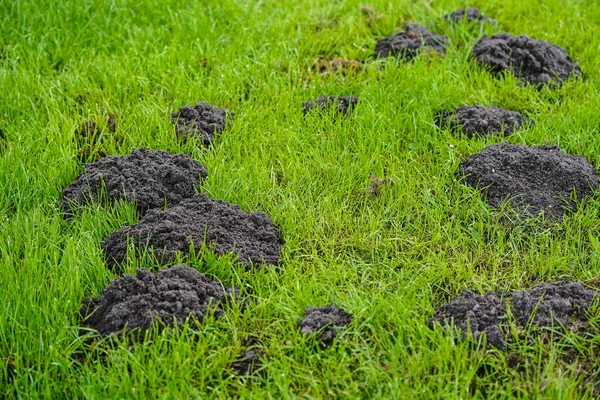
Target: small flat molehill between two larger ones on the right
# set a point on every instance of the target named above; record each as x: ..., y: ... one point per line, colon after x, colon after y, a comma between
x: 480, y: 121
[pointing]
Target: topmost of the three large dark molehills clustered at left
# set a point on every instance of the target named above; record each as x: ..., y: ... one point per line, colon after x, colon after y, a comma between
x: 147, y: 177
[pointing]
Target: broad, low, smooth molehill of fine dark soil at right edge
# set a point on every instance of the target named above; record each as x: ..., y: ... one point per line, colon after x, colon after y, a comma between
x: 535, y: 179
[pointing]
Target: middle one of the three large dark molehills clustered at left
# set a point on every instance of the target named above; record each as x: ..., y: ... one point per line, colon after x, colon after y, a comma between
x: 200, y: 219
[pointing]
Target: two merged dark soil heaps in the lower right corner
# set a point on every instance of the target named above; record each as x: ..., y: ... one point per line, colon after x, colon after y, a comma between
x: 549, y: 304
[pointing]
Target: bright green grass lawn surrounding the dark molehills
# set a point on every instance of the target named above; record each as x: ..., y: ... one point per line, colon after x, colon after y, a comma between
x: 389, y: 259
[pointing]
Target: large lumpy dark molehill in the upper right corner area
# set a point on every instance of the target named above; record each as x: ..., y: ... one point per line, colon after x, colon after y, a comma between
x: 534, y: 61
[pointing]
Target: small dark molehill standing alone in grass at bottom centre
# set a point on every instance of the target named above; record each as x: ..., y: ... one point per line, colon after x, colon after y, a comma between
x: 326, y: 322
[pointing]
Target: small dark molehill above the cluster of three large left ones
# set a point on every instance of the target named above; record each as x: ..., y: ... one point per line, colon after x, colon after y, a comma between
x: 202, y: 121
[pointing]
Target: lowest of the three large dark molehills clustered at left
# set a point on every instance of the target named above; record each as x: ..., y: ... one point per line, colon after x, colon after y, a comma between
x: 136, y: 302
